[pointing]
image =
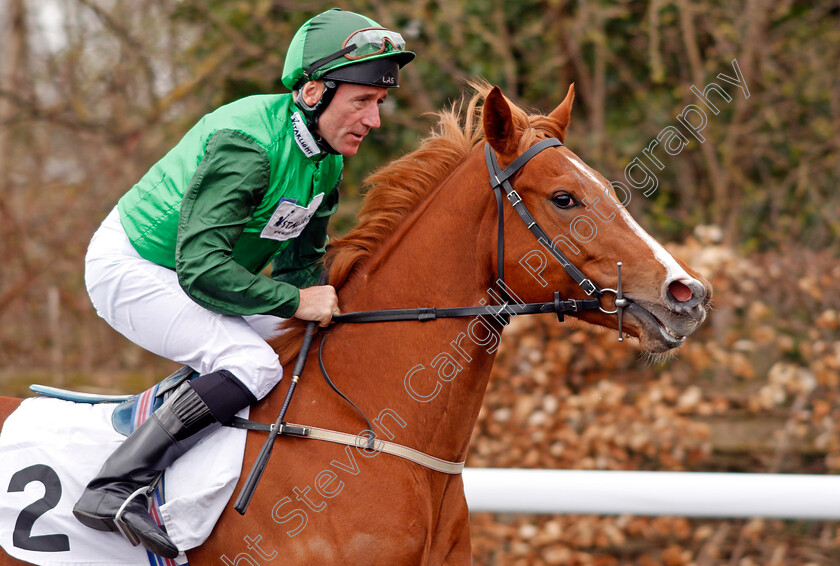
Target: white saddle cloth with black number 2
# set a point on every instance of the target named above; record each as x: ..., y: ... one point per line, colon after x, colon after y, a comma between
x: 50, y: 449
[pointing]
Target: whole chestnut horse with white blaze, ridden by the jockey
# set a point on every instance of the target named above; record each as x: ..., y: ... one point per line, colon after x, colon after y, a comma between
x: 427, y: 237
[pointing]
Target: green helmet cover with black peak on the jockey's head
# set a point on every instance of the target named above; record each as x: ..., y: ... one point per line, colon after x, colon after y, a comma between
x: 322, y: 36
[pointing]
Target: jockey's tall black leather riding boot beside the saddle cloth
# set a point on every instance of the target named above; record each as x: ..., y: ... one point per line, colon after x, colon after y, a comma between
x: 117, y: 499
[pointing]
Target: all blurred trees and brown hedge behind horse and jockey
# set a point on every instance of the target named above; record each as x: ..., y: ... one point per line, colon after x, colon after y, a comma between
x: 92, y: 92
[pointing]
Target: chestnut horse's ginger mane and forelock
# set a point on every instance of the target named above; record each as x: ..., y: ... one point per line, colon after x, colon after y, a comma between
x: 395, y: 190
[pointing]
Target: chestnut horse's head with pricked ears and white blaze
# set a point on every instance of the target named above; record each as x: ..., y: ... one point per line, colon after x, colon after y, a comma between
x: 579, y: 209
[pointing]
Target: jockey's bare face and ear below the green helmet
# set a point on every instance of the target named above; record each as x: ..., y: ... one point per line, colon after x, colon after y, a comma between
x: 352, y: 113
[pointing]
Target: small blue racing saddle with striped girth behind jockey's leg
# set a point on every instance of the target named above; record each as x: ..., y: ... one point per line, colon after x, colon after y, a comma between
x: 128, y: 413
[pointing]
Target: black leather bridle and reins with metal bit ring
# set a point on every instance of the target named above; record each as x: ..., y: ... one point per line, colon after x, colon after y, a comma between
x: 500, y: 181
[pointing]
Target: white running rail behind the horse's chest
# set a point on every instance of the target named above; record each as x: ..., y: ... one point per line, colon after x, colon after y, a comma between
x: 687, y: 494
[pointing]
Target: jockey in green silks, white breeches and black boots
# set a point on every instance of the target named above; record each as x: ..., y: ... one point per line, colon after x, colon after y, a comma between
x: 176, y: 266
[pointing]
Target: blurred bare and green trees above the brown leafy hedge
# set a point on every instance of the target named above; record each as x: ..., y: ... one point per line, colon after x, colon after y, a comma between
x: 92, y: 92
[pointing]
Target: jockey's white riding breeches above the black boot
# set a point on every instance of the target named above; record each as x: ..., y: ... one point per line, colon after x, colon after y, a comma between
x: 144, y: 302
